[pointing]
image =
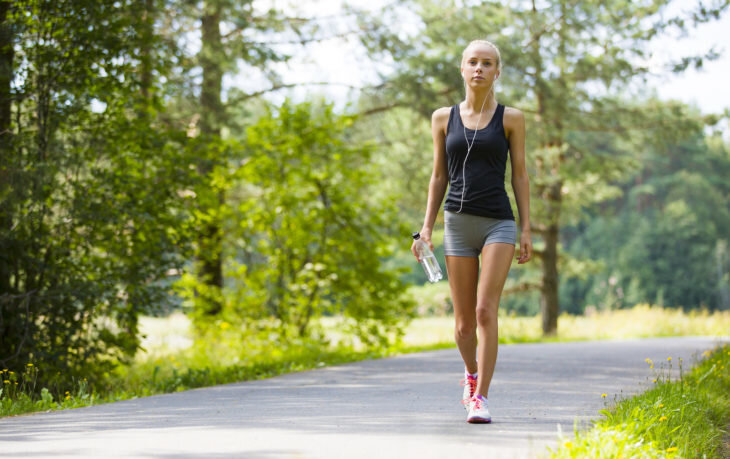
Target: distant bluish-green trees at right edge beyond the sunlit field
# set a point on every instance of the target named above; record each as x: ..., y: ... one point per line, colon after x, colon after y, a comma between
x: 664, y: 241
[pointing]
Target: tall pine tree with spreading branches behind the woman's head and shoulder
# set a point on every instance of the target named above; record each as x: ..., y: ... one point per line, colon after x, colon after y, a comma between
x: 569, y: 67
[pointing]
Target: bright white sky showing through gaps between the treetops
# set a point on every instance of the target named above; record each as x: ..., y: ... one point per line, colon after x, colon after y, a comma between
x: 341, y: 62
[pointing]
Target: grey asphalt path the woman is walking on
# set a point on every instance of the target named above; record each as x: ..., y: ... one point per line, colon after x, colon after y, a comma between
x: 400, y: 407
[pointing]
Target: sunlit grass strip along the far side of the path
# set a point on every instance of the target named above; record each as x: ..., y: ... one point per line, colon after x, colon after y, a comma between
x: 174, y: 362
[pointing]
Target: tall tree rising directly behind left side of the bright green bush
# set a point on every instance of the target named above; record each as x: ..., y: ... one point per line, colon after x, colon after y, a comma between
x: 234, y: 36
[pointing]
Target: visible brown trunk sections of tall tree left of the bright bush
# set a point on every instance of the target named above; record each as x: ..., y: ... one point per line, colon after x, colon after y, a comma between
x: 210, y: 239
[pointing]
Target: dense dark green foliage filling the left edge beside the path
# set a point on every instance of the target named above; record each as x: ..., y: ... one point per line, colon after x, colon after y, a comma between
x: 91, y: 218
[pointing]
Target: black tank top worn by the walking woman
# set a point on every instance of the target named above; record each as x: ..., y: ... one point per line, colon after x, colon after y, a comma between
x: 484, y: 195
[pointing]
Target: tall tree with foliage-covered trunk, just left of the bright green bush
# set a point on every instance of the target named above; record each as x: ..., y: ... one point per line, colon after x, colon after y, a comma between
x: 235, y: 36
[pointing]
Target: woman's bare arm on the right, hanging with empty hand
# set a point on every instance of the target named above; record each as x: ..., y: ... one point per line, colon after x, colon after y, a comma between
x: 514, y: 124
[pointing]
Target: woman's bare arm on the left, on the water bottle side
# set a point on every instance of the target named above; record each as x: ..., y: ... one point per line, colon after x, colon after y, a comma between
x: 439, y: 176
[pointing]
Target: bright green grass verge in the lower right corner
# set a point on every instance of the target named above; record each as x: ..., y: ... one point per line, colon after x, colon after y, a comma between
x: 684, y: 418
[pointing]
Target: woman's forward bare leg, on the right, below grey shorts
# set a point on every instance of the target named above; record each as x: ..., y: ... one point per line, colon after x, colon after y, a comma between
x: 496, y: 261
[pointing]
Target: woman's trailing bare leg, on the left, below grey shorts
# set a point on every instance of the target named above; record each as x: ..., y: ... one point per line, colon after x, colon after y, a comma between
x: 463, y: 277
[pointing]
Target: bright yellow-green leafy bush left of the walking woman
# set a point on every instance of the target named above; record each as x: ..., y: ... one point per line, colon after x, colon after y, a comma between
x: 306, y: 237
